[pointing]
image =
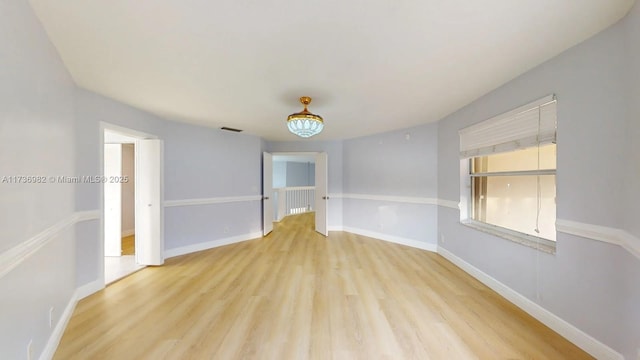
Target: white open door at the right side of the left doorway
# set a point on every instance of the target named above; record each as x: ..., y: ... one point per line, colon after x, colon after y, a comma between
x: 148, y: 203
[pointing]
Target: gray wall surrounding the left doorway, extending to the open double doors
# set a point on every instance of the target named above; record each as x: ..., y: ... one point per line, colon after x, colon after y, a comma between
x: 199, y: 163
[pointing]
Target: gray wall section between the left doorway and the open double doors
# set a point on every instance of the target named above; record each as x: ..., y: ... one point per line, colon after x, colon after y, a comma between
x: 207, y: 163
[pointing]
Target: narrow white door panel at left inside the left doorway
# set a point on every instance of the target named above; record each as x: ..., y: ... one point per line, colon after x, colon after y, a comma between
x: 112, y: 200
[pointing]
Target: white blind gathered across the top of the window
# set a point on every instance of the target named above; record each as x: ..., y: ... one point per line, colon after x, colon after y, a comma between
x: 526, y: 126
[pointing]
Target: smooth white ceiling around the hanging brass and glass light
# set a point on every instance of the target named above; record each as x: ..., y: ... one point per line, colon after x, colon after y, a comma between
x: 370, y: 66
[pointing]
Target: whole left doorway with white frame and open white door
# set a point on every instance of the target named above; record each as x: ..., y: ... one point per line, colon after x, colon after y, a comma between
x: 132, y: 202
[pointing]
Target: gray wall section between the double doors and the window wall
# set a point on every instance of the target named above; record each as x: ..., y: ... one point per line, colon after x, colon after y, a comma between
x: 399, y: 163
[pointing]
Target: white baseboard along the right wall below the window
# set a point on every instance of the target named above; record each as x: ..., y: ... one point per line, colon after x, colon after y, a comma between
x: 581, y: 339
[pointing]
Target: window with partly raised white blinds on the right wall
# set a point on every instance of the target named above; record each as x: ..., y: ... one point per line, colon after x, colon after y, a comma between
x: 508, y: 174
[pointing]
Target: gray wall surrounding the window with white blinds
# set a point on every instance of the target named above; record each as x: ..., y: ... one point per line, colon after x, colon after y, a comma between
x: 589, y: 284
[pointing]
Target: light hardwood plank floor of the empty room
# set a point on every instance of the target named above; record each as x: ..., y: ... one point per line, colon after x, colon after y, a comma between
x: 296, y: 295
